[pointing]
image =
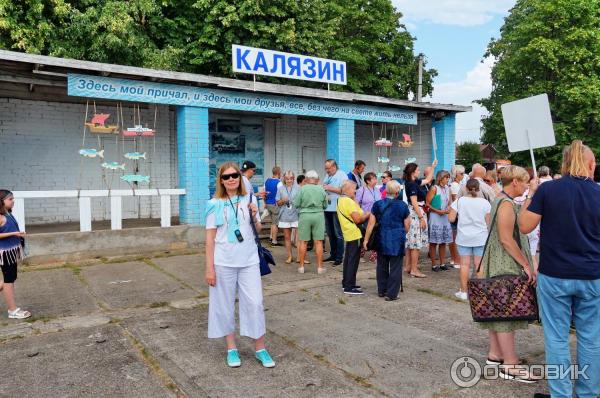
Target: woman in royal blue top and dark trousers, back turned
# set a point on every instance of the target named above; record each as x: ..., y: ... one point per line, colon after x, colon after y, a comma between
x: 393, y: 217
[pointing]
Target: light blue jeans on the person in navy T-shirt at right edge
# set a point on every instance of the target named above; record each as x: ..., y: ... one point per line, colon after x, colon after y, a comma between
x: 559, y: 300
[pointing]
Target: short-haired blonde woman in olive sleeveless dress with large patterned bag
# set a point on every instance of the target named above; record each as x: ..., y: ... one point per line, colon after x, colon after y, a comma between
x: 507, y: 253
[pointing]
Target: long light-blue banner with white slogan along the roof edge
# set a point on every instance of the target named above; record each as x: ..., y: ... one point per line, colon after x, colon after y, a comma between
x: 174, y: 94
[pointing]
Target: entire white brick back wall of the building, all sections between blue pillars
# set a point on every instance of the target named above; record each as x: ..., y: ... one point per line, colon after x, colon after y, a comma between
x: 40, y: 140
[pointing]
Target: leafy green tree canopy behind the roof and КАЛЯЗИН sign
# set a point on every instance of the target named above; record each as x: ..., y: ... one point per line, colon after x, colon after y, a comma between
x: 196, y: 36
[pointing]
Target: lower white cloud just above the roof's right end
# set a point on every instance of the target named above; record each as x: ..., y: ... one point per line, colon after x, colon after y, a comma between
x: 476, y: 85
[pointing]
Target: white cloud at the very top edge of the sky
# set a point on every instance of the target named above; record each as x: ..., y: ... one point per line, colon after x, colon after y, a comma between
x: 452, y: 12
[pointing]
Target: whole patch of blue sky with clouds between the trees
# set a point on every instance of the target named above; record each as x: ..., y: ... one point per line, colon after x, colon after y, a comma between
x: 454, y: 34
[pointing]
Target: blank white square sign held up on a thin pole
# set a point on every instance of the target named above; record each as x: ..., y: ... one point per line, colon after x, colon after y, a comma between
x: 528, y: 125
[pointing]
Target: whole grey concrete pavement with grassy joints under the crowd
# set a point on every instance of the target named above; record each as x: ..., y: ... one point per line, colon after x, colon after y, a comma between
x: 138, y: 329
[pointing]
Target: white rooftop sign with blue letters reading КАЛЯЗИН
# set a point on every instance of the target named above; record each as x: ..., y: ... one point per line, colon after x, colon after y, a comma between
x: 258, y: 61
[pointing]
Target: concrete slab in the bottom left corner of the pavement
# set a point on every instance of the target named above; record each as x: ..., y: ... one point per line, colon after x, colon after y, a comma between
x: 86, y: 362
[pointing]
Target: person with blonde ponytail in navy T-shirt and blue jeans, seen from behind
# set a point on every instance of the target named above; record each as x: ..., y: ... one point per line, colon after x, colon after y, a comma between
x: 568, y: 283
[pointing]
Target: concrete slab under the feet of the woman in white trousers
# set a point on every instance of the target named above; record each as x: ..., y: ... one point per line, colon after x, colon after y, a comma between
x: 178, y: 341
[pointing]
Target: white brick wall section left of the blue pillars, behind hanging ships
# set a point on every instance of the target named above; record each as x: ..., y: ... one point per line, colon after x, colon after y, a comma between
x: 40, y: 141
